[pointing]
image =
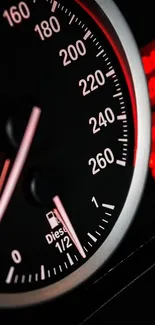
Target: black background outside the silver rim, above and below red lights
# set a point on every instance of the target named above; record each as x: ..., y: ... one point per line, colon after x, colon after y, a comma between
x: 124, y: 289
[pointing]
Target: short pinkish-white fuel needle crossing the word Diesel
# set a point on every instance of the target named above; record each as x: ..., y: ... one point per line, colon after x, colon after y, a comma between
x: 64, y: 219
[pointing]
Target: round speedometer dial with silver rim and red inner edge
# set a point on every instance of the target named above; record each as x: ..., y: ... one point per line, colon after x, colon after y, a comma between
x: 75, y: 133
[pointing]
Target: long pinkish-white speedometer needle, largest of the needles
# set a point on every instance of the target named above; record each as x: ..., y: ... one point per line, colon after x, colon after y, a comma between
x: 19, y: 160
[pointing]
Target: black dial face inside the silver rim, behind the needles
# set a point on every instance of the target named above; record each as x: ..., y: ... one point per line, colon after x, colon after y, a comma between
x: 79, y: 122
